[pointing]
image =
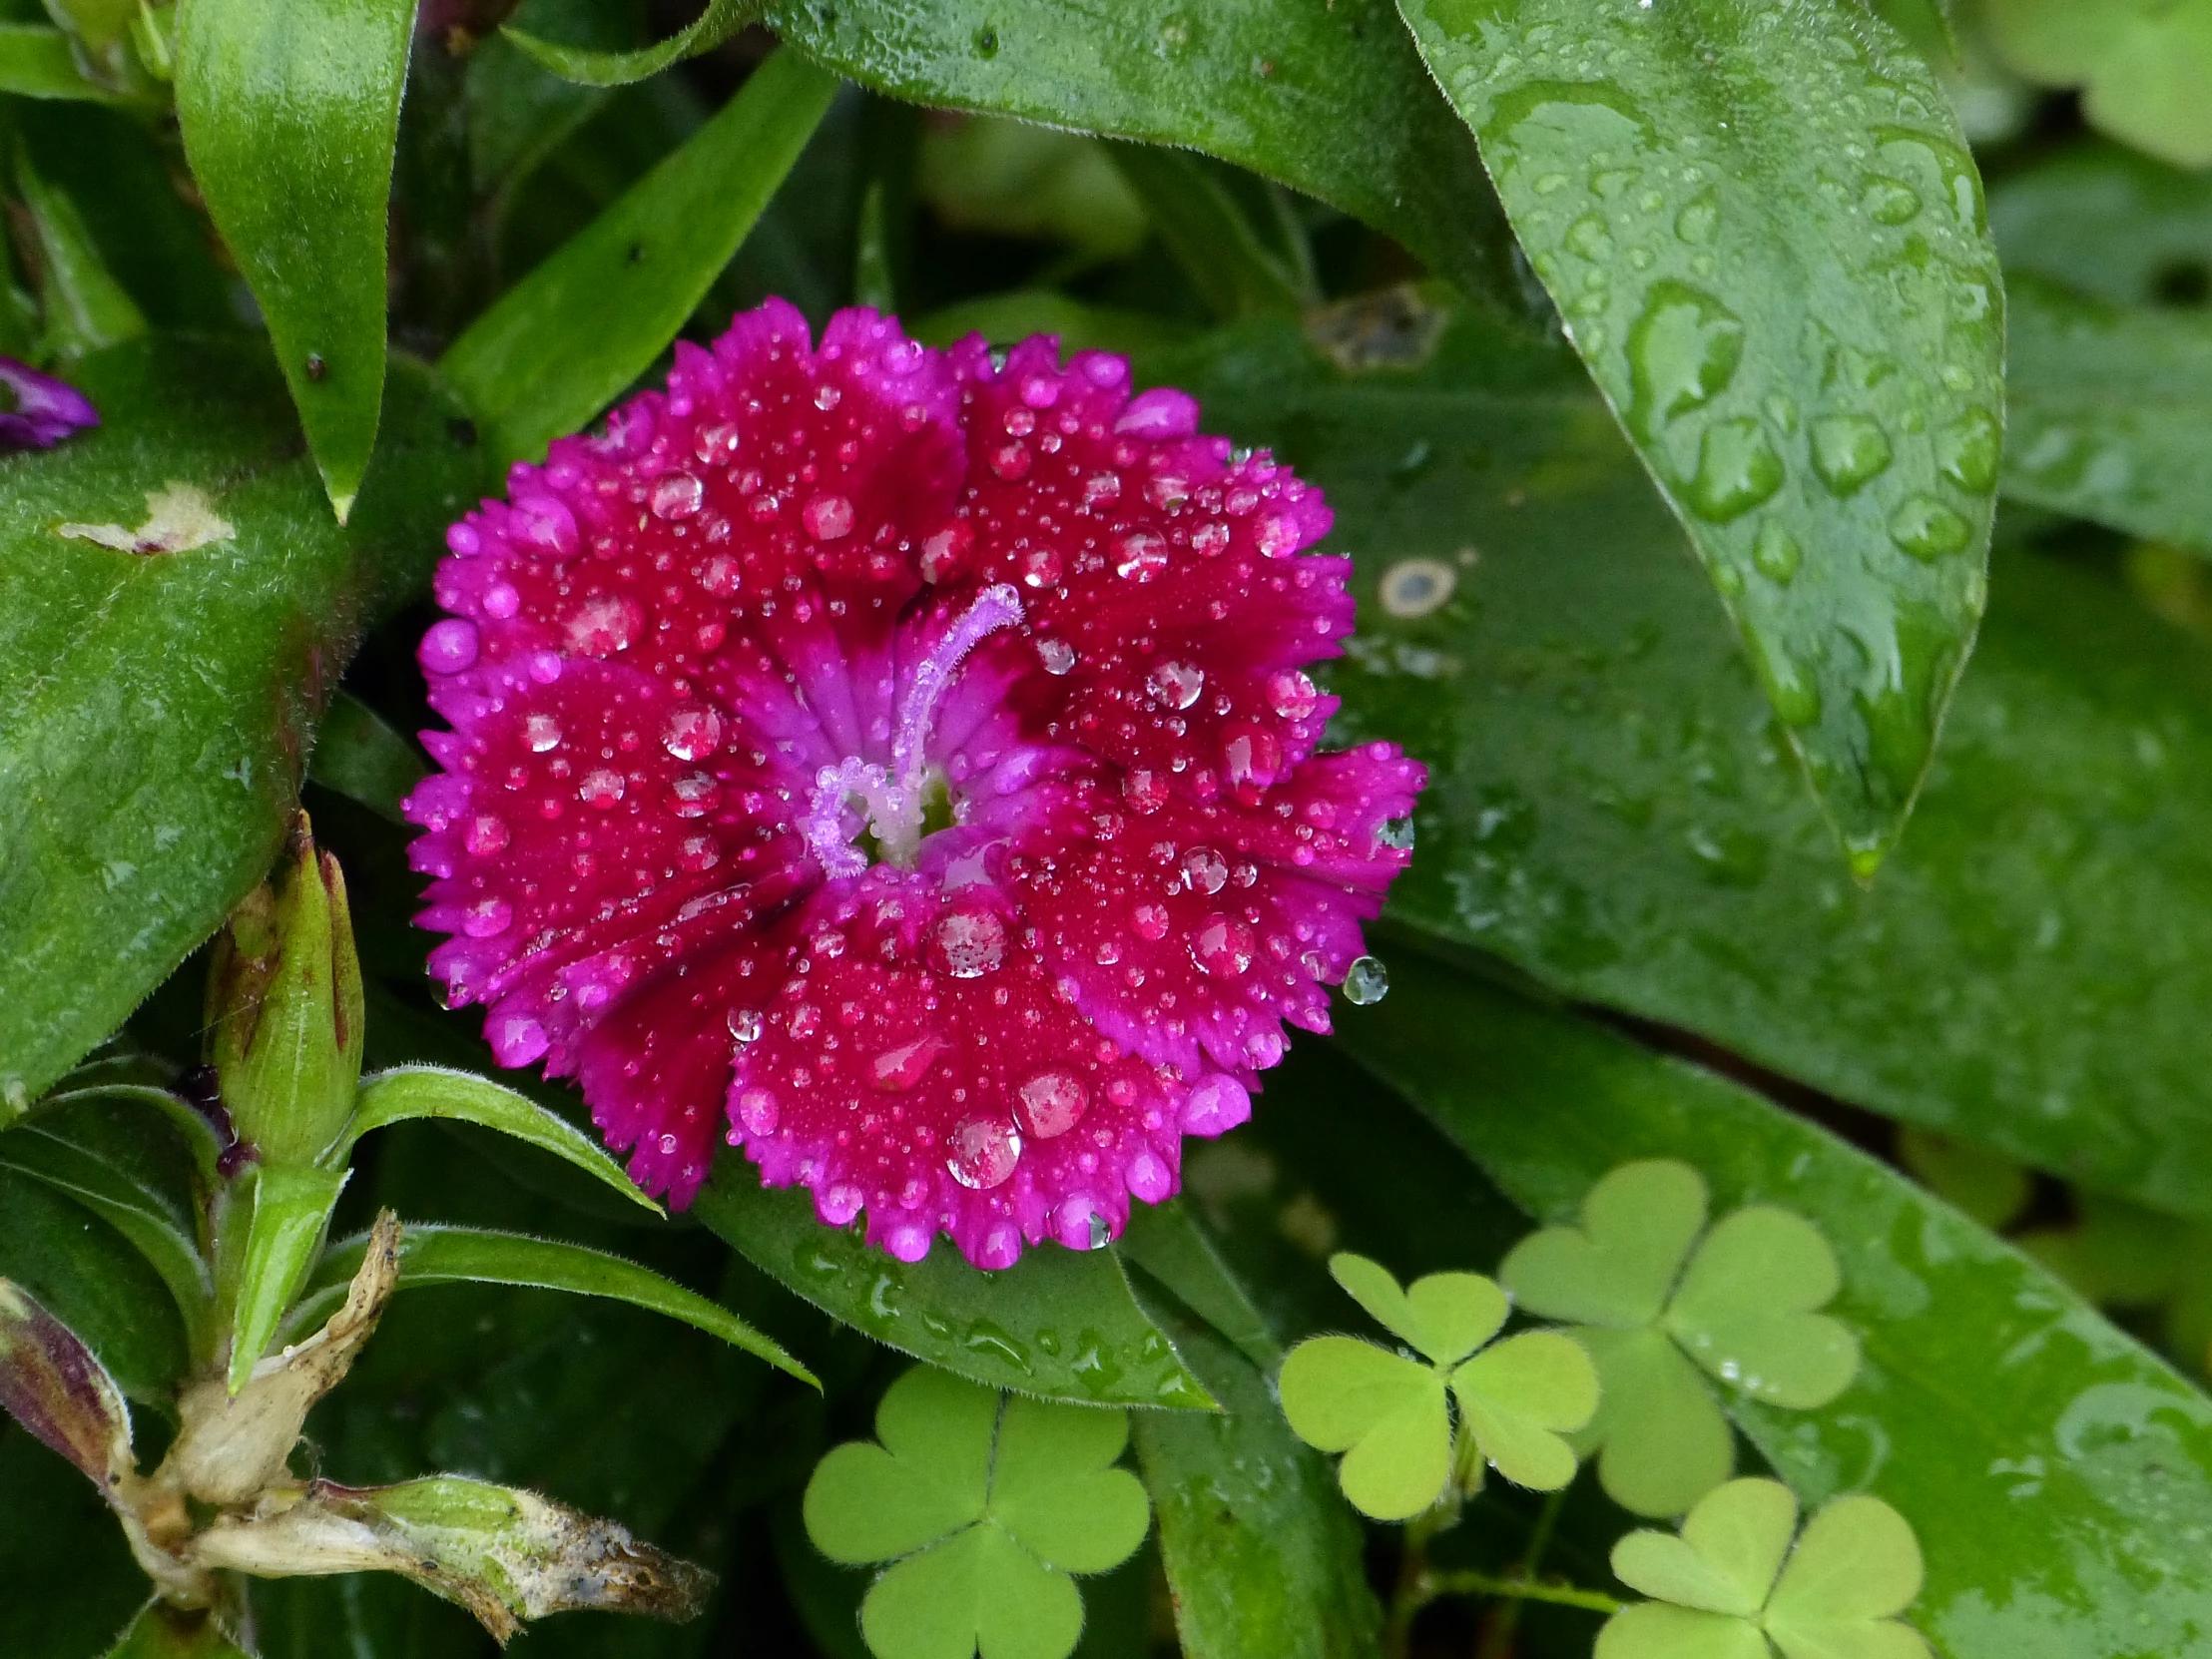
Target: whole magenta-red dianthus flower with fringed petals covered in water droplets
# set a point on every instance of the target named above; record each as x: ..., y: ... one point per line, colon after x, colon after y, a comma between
x: 901, y: 764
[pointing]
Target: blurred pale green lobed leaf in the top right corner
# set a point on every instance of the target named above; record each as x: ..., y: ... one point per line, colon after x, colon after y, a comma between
x: 2140, y: 67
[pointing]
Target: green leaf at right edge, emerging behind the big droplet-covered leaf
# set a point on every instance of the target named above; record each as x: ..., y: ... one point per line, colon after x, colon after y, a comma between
x: 2111, y: 413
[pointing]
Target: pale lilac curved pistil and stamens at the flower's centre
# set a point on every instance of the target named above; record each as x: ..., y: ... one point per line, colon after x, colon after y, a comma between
x: 908, y: 800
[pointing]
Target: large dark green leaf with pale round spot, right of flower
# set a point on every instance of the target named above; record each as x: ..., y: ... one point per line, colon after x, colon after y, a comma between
x: 1616, y: 815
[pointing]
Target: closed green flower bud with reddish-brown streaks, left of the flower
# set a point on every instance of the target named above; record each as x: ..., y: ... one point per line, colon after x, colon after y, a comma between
x: 284, y: 1008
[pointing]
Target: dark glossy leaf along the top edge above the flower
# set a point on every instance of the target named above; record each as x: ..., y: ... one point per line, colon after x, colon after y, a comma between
x: 1328, y: 101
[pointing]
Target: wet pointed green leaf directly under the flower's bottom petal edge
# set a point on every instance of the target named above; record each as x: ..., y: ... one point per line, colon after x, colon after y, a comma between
x: 1058, y: 1324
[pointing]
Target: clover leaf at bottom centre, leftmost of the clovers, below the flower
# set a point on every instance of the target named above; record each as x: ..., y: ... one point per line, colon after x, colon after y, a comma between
x: 983, y: 1505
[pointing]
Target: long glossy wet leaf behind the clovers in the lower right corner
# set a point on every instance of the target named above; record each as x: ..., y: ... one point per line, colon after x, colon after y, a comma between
x: 2001, y: 1417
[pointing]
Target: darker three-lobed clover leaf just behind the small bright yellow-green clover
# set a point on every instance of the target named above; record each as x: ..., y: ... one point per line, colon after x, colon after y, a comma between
x: 1649, y: 1291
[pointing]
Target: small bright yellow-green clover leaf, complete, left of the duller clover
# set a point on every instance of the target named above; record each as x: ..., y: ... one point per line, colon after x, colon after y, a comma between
x: 1390, y: 1415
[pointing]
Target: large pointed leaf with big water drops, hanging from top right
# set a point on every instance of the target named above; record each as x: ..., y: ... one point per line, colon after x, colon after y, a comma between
x: 1806, y: 351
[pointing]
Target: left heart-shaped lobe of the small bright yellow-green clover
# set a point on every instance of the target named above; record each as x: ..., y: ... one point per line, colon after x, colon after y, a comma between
x: 1381, y: 1410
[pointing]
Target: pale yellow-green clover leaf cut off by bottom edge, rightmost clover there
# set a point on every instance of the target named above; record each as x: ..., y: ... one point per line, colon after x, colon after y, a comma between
x: 1731, y: 1587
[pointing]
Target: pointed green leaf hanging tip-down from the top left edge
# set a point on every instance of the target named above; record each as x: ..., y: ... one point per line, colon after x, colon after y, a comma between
x: 291, y: 121
